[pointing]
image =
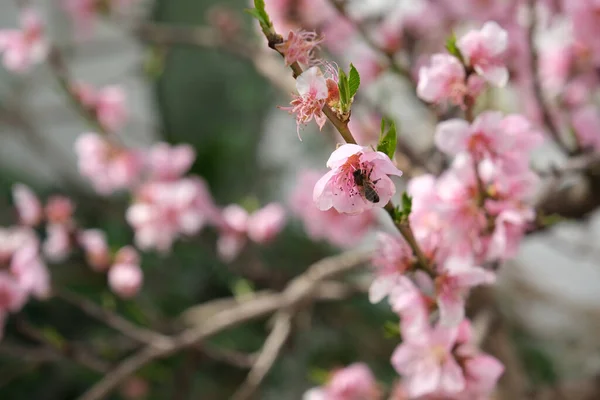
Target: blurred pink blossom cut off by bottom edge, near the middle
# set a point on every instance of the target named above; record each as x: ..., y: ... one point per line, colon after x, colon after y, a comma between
x: 354, y: 382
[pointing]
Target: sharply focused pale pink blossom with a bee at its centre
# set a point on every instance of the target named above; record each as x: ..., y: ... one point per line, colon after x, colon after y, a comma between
x: 339, y: 189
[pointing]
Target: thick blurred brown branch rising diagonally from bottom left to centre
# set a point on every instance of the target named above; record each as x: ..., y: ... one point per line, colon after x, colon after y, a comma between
x: 298, y: 292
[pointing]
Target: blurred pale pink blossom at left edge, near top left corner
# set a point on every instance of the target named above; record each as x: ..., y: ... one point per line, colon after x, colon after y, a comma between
x: 26, y: 46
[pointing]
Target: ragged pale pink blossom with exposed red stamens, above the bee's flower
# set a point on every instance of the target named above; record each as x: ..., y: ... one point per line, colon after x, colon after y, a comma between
x: 313, y: 93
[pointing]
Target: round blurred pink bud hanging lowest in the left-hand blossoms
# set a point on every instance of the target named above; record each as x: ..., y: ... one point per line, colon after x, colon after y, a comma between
x: 125, y: 276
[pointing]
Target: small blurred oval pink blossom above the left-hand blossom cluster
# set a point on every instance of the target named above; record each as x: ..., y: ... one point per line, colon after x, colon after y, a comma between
x: 110, y: 107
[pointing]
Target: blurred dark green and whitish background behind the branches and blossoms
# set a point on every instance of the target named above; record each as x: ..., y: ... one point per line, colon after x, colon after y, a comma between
x: 248, y: 151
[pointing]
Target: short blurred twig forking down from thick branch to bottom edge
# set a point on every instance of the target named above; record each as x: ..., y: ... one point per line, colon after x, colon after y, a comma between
x: 269, y: 353
